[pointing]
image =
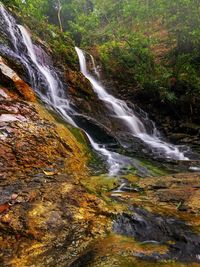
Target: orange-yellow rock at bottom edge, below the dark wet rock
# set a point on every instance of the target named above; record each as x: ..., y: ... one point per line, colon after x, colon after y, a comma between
x: 120, y: 250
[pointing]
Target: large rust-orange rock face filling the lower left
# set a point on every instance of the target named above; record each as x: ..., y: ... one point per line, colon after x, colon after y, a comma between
x: 46, y: 216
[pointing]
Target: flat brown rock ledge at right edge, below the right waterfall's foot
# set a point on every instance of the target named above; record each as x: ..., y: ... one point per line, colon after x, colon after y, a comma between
x: 179, y: 188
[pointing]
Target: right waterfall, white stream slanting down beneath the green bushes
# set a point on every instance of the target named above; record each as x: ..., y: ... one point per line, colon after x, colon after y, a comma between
x: 127, y: 116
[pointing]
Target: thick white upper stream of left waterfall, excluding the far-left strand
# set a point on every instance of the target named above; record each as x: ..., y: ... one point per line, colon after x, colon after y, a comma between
x: 54, y: 96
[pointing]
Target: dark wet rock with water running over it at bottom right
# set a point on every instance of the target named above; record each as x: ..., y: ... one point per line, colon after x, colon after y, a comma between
x: 183, y: 243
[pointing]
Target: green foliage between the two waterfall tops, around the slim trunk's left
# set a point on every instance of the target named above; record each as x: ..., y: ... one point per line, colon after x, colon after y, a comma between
x: 34, y: 14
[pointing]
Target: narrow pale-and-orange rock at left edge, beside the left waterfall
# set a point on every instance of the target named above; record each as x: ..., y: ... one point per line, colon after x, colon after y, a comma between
x: 23, y: 88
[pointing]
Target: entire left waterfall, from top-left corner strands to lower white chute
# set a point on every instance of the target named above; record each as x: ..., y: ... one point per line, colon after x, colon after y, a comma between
x: 54, y: 96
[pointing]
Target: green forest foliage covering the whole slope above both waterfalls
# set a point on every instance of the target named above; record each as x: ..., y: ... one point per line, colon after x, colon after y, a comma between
x: 124, y: 34
